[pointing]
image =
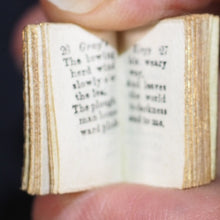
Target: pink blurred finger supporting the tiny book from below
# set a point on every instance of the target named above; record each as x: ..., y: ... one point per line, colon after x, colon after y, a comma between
x: 128, y: 201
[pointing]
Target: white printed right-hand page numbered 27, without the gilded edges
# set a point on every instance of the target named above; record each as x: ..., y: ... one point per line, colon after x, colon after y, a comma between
x: 153, y: 75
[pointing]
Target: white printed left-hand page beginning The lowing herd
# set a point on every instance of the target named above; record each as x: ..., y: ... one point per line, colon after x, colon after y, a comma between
x: 83, y: 73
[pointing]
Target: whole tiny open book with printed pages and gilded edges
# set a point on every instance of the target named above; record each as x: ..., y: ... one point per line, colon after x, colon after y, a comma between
x: 137, y: 107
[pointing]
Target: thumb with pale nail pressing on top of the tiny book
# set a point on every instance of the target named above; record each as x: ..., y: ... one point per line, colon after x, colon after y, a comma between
x: 118, y: 14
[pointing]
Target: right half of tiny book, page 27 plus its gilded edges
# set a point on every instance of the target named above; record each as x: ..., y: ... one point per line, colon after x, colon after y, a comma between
x: 169, y: 75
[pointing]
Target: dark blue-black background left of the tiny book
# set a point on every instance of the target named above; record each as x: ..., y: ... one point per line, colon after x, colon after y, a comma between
x: 13, y: 202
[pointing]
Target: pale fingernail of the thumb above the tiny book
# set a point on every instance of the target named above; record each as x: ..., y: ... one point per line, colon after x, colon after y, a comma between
x: 77, y: 6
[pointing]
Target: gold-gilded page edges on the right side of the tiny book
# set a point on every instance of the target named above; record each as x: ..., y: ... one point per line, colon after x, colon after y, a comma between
x: 203, y: 173
